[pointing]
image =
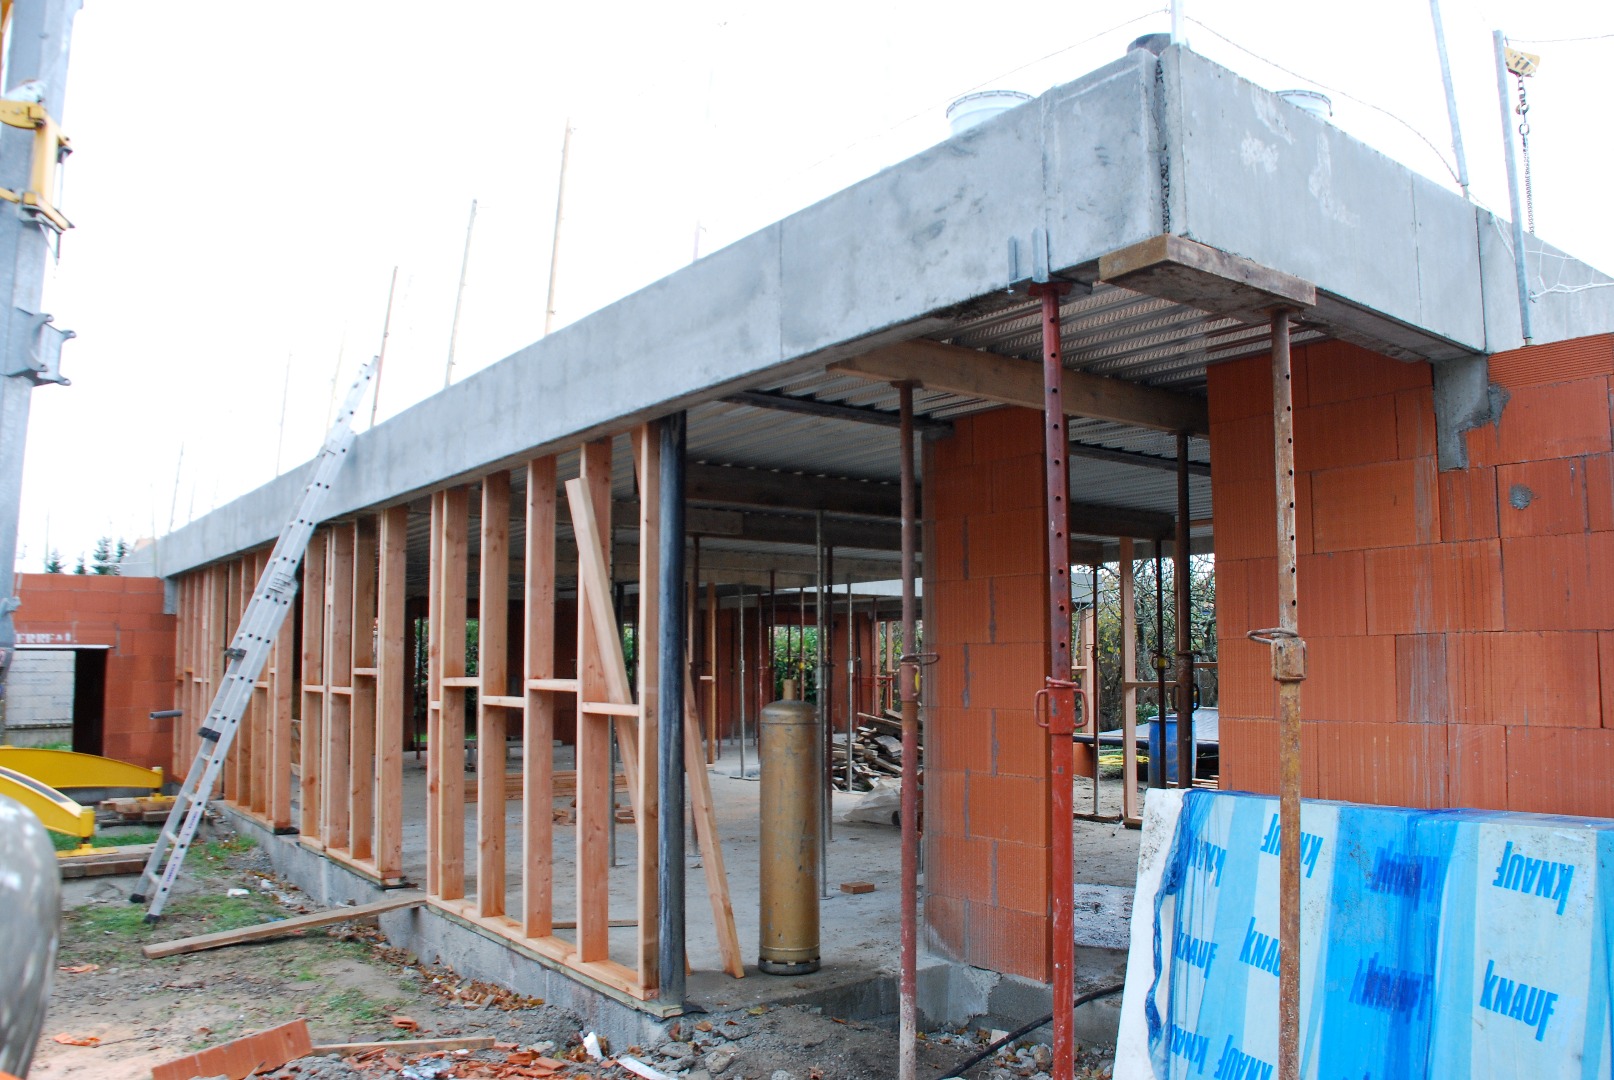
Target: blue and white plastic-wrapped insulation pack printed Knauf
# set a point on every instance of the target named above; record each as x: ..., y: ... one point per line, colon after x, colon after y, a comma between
x: 1434, y: 944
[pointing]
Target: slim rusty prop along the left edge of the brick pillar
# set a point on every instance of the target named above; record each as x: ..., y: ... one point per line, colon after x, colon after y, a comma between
x: 908, y: 679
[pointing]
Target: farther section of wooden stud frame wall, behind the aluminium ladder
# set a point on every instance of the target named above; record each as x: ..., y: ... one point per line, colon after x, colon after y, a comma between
x: 349, y: 751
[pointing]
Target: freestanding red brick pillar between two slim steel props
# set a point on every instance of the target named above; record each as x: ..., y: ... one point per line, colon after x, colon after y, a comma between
x: 985, y: 761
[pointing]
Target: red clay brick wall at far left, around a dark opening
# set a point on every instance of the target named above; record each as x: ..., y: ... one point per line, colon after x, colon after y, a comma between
x: 128, y: 616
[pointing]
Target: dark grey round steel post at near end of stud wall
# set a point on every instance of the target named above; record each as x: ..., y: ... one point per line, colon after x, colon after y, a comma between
x: 671, y: 713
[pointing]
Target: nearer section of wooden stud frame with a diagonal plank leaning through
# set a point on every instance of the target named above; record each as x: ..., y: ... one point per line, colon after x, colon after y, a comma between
x: 609, y: 705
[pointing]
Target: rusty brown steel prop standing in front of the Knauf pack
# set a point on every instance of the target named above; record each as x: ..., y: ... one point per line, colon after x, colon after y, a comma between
x: 1289, y: 671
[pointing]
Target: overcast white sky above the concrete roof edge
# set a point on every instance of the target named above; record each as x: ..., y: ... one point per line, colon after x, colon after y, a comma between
x: 246, y: 177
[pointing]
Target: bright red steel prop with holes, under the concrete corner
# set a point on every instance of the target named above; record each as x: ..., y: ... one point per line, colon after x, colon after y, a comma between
x: 1060, y: 692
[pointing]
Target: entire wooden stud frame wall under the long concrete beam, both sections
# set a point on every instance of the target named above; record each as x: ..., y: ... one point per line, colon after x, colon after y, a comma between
x: 349, y: 697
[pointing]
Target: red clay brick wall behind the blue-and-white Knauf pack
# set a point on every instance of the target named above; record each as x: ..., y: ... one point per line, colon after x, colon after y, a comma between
x: 1460, y: 626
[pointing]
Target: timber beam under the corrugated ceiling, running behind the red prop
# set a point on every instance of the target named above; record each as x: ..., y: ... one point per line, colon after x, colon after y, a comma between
x: 977, y: 374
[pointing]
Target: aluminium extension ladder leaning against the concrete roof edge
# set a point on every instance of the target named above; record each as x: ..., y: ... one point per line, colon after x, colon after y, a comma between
x: 261, y: 624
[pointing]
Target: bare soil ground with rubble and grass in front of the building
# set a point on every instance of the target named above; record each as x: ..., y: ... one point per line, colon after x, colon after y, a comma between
x: 351, y: 986
